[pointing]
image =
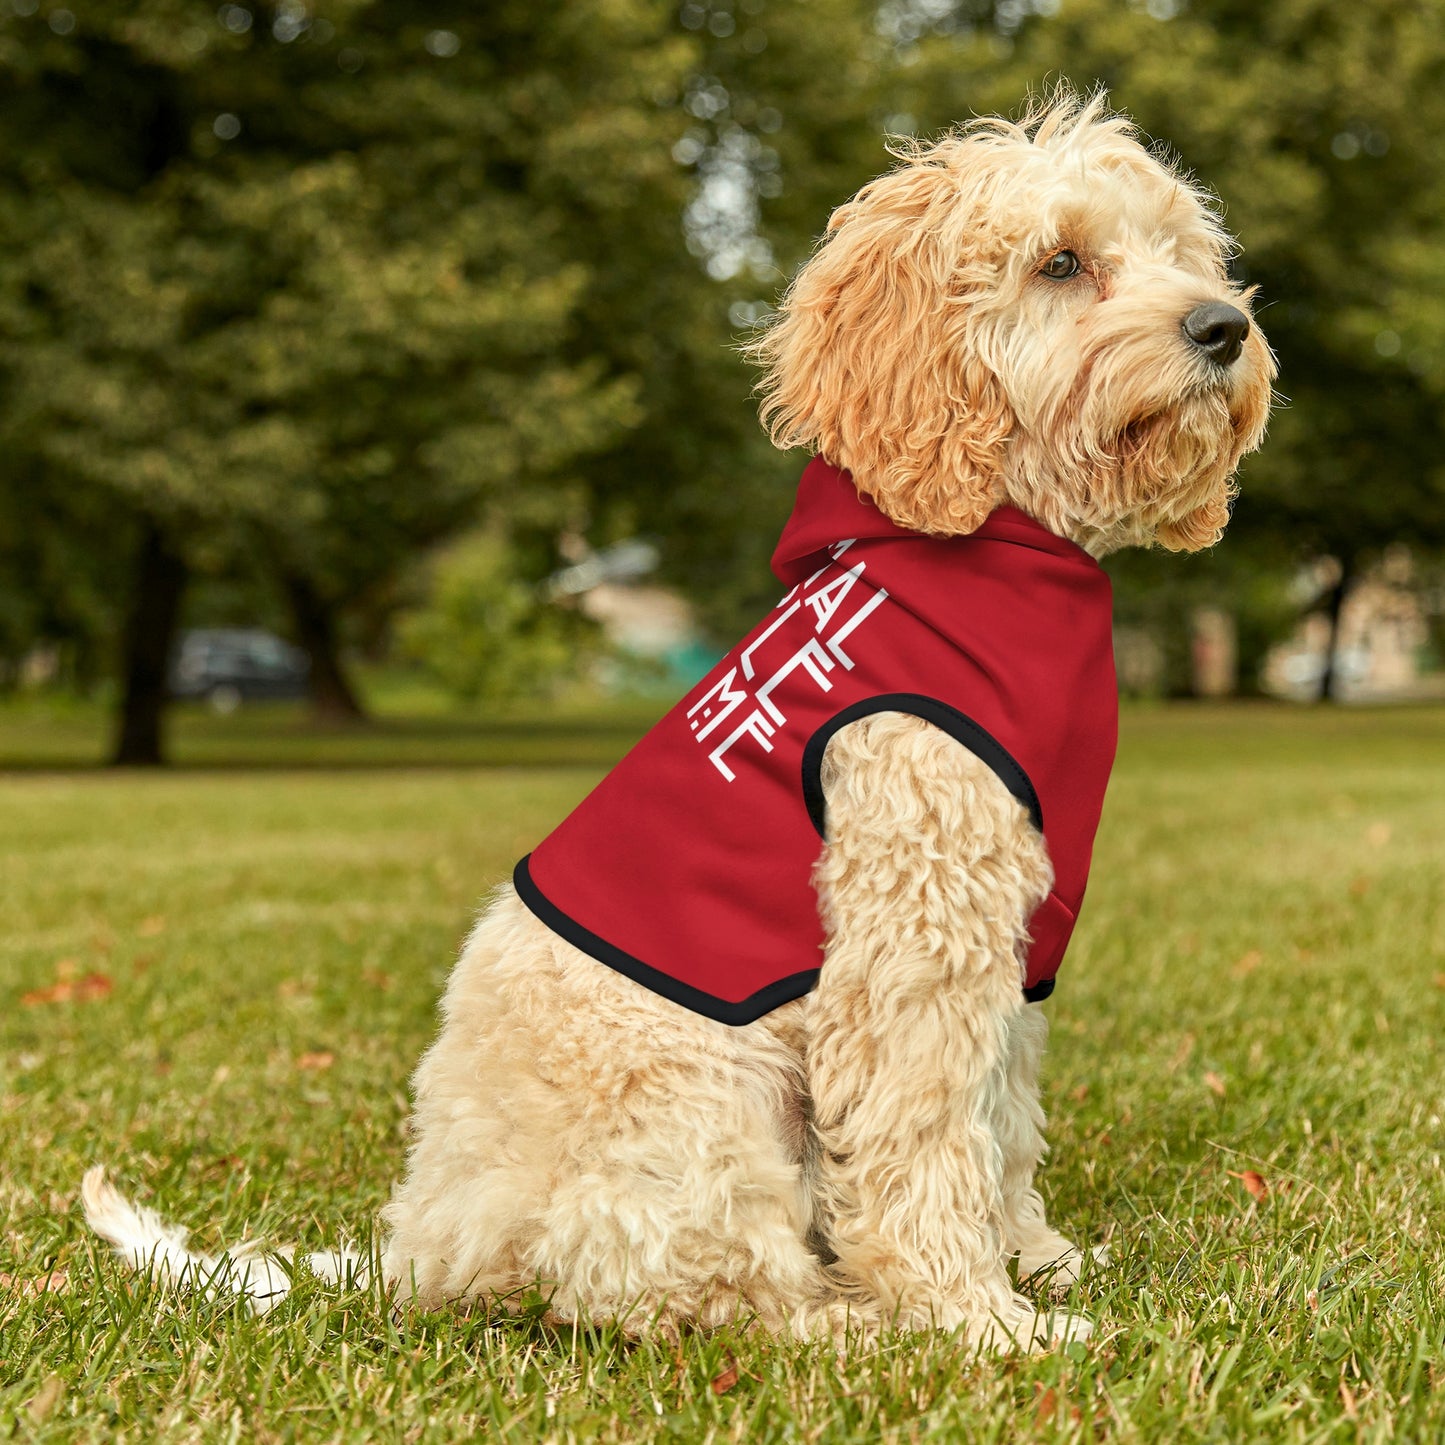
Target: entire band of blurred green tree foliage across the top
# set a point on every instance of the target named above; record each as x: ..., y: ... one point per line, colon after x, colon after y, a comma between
x: 320, y: 287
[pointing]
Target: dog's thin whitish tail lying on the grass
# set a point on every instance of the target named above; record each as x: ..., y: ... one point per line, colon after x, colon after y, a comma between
x: 145, y: 1242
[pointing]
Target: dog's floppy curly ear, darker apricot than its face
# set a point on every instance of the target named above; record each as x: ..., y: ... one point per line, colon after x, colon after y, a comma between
x: 874, y: 359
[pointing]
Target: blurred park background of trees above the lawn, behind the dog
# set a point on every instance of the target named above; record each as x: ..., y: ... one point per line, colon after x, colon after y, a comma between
x: 366, y: 359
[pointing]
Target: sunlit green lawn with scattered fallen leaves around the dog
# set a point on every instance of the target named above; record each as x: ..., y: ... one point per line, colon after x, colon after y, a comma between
x: 230, y: 972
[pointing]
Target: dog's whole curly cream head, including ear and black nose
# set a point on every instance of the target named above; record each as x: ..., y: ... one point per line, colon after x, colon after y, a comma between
x: 1034, y: 313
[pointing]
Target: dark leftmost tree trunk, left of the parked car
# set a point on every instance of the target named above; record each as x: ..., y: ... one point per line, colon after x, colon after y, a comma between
x: 151, y: 628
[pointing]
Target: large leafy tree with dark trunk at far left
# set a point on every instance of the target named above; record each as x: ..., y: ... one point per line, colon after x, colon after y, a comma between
x: 304, y: 287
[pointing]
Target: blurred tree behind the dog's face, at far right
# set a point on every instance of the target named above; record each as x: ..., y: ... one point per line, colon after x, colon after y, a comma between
x: 1319, y: 124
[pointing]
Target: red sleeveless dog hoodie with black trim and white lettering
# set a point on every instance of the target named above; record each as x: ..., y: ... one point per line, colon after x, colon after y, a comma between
x: 690, y: 866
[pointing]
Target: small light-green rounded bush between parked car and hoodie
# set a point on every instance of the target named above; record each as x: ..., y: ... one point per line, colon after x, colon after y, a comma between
x: 485, y: 634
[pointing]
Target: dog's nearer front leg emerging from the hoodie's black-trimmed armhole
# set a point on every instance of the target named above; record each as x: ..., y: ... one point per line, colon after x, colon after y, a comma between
x: 927, y: 884
